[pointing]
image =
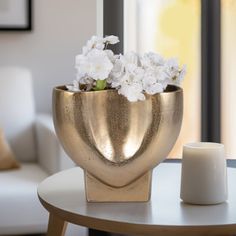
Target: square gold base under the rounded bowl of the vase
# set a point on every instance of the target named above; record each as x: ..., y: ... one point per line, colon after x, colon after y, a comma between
x: 137, y: 191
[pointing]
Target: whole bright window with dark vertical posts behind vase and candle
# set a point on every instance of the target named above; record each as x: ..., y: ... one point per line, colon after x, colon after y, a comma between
x: 201, y: 34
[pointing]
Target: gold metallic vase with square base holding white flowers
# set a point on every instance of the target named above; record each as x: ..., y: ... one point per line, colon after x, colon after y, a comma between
x: 115, y: 141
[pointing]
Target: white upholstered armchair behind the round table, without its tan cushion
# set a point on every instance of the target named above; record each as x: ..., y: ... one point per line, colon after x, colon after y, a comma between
x: 35, y: 145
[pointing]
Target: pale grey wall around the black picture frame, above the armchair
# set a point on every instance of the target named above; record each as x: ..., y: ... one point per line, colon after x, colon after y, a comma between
x: 60, y: 29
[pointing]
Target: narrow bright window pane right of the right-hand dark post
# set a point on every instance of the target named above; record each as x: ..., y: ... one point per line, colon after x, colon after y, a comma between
x: 228, y: 99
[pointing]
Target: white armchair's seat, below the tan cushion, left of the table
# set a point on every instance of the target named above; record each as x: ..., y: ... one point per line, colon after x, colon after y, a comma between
x: 21, y: 211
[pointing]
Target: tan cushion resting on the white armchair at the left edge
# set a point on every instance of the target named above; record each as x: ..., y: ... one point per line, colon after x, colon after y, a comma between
x: 7, y: 159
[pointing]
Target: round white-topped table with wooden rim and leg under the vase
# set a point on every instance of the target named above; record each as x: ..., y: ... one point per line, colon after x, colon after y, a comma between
x: 63, y: 196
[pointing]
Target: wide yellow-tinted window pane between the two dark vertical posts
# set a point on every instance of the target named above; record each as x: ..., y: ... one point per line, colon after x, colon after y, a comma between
x: 171, y: 28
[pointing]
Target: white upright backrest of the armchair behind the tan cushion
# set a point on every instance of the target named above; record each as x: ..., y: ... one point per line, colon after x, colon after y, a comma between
x: 18, y: 111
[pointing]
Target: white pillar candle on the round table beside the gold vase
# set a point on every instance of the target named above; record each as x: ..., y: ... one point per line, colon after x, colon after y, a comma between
x: 204, y: 173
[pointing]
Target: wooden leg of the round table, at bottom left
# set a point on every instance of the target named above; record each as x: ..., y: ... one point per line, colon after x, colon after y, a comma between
x: 56, y: 226
